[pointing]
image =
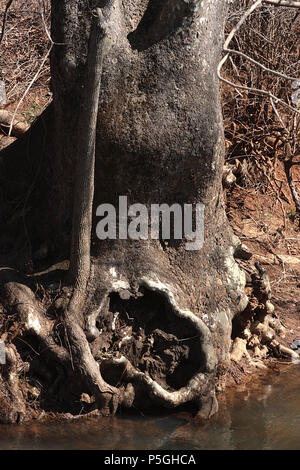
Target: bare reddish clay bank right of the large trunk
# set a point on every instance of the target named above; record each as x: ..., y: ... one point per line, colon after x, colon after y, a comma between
x: 263, y: 217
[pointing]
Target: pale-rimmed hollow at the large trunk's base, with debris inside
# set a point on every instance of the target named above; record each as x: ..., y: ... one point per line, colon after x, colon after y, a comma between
x: 152, y: 371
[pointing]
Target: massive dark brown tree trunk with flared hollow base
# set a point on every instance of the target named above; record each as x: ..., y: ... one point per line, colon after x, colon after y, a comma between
x: 155, y: 324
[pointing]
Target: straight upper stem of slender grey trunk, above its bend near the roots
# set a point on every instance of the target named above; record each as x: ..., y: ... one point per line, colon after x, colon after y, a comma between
x: 80, y: 260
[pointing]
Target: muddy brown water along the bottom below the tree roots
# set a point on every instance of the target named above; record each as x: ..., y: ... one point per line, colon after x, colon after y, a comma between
x: 264, y: 415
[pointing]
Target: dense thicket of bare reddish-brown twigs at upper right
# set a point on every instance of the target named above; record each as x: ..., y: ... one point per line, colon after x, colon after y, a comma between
x: 258, y: 131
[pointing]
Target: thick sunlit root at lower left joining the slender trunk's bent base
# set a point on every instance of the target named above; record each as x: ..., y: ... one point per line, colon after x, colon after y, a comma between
x: 20, y: 299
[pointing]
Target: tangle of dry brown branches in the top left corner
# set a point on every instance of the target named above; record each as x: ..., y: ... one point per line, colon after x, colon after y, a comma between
x: 23, y: 47
